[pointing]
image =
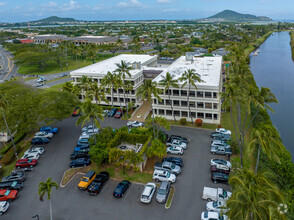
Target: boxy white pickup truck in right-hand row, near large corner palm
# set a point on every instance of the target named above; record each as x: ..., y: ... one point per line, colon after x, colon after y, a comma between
x: 213, y: 194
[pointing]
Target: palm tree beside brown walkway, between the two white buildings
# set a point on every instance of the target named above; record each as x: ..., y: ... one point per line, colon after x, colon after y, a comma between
x: 146, y: 91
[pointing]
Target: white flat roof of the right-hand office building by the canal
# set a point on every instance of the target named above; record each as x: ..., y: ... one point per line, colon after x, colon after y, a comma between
x: 209, y: 68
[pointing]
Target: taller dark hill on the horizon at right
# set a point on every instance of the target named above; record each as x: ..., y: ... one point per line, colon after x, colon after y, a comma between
x: 228, y: 15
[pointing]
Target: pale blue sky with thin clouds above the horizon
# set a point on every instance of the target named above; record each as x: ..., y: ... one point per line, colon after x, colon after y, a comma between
x: 30, y: 10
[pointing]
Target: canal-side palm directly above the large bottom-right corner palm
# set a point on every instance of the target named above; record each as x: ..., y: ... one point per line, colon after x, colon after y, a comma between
x: 266, y: 140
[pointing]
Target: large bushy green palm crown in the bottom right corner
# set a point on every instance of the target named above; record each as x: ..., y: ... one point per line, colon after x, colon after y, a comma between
x: 254, y: 196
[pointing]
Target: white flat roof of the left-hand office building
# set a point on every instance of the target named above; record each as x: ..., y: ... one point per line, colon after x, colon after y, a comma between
x: 102, y: 67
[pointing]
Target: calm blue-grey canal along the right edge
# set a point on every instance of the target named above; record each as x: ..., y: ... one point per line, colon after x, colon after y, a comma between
x: 273, y: 67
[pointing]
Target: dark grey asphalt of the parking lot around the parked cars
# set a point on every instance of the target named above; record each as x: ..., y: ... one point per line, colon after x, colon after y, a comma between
x: 71, y: 203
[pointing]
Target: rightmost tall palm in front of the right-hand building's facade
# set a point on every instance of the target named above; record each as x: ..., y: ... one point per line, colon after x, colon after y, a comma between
x: 190, y: 78
